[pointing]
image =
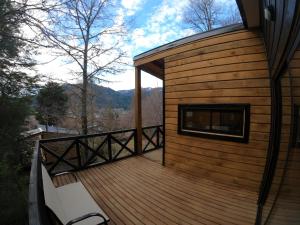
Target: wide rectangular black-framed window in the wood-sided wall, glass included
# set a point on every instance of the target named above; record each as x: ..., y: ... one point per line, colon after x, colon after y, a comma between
x: 226, y: 121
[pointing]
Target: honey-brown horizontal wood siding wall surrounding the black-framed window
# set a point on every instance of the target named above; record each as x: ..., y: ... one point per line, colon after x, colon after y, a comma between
x: 229, y: 68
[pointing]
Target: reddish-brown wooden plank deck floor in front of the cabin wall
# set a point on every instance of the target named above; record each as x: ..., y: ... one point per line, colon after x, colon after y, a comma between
x: 166, y: 202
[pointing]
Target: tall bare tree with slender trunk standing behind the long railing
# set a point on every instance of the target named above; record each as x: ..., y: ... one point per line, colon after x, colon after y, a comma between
x: 90, y: 34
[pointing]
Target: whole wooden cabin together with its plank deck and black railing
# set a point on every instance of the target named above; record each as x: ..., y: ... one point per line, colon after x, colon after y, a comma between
x: 230, y: 133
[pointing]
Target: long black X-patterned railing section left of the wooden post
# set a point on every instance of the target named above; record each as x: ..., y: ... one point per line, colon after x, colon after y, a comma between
x: 80, y: 152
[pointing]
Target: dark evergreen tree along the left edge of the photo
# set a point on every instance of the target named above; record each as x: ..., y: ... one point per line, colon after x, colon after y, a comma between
x: 15, y: 89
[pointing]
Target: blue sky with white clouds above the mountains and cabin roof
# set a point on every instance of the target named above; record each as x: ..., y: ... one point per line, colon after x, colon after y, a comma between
x: 155, y: 22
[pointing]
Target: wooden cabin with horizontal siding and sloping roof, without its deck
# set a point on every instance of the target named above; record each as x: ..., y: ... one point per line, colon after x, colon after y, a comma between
x: 231, y: 105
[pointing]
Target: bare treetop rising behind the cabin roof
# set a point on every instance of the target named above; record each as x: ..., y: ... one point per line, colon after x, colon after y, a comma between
x: 205, y: 15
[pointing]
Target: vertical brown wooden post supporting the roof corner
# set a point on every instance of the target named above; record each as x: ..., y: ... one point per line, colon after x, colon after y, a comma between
x: 138, y: 110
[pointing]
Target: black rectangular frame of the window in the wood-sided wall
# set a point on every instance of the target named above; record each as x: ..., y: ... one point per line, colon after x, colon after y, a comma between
x: 245, y: 108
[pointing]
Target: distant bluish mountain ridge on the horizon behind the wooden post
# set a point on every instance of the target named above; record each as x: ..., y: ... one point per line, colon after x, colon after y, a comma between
x: 107, y: 97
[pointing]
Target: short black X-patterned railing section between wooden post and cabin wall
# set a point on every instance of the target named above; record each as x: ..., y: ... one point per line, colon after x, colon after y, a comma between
x: 152, y: 138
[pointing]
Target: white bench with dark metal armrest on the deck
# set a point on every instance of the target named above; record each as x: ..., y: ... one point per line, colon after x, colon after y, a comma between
x: 71, y: 203
